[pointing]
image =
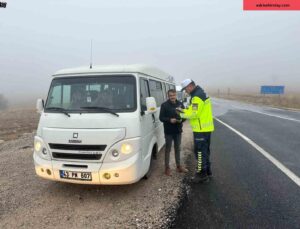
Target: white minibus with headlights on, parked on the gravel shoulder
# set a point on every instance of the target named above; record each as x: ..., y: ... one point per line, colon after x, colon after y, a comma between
x: 101, y: 125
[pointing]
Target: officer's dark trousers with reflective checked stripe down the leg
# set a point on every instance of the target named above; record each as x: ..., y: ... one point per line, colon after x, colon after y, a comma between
x: 202, y: 150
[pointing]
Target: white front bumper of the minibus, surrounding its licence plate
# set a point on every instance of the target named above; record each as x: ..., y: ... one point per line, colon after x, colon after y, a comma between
x: 123, y: 172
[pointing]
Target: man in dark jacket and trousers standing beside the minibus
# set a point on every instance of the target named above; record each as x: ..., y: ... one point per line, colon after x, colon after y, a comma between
x: 173, y: 129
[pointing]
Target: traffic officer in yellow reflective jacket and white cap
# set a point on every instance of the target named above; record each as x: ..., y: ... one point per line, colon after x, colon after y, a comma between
x: 200, y: 116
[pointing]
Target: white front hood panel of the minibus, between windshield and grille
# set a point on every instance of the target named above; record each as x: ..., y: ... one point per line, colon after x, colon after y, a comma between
x: 83, y: 128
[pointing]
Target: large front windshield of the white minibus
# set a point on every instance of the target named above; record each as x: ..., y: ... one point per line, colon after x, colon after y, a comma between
x: 85, y: 94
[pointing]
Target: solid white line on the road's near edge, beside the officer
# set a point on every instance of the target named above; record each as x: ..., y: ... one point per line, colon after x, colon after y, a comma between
x: 272, y: 159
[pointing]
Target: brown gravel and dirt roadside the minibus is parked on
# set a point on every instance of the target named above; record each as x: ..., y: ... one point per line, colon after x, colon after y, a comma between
x: 27, y: 201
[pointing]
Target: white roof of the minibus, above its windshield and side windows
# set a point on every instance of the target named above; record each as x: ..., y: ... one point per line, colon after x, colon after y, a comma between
x: 135, y: 68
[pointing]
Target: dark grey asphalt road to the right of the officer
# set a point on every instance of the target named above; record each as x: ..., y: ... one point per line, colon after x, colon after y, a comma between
x: 248, y: 190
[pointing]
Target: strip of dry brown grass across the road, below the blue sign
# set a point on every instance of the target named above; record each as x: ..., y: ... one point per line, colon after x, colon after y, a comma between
x: 283, y: 101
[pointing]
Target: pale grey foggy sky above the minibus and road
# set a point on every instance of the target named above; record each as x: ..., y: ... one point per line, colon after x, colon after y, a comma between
x: 215, y: 43
